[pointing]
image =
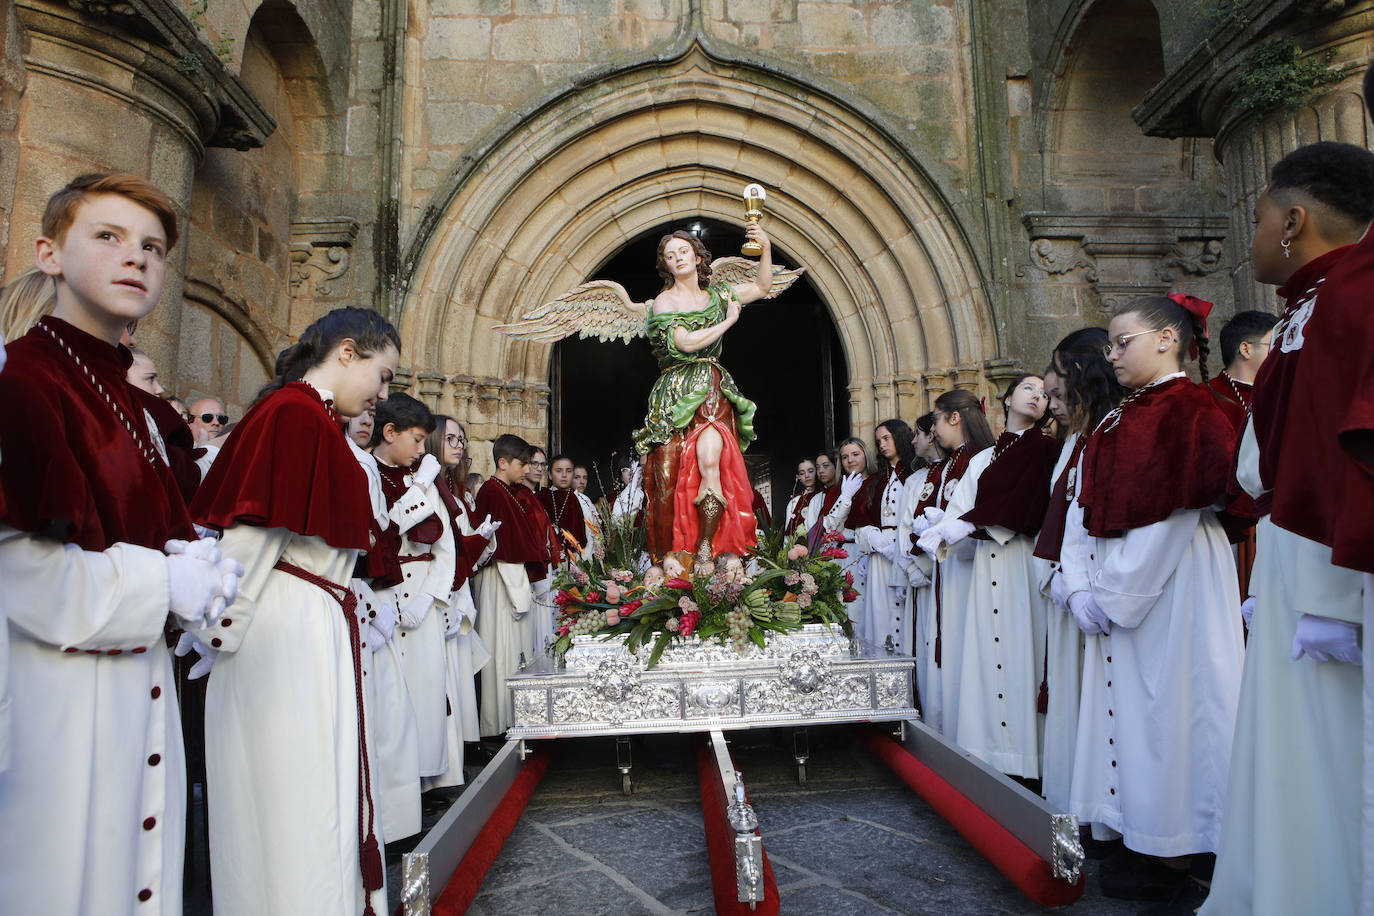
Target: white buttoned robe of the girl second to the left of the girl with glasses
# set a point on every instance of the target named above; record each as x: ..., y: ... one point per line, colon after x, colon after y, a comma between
x: 1002, y: 645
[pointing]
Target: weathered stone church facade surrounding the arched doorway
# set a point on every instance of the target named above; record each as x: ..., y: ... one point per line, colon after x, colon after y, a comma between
x: 965, y: 181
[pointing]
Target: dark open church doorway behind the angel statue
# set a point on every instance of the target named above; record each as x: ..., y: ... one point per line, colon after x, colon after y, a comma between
x: 784, y: 354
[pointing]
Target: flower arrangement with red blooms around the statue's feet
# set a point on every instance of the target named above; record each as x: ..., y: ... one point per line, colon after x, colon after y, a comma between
x: 789, y: 588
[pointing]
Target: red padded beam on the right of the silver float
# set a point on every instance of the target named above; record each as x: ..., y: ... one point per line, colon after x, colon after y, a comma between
x: 1031, y: 874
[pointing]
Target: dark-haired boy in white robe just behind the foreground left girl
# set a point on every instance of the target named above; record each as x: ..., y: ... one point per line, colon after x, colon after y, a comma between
x: 414, y: 569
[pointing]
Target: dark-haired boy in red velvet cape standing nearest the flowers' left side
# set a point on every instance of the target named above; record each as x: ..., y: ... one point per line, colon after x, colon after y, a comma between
x: 513, y: 586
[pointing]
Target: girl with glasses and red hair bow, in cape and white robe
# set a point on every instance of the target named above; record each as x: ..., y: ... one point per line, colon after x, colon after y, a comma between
x: 1149, y: 572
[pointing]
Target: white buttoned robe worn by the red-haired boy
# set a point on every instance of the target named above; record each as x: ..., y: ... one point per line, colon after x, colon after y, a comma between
x: 93, y: 808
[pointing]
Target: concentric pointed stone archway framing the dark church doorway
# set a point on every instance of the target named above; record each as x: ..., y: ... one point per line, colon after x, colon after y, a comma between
x: 589, y: 172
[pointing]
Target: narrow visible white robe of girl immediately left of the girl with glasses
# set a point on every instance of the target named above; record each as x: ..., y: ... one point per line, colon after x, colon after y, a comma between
x: 1063, y: 672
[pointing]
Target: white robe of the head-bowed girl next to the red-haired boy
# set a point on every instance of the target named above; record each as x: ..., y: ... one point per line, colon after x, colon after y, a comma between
x: 281, y: 737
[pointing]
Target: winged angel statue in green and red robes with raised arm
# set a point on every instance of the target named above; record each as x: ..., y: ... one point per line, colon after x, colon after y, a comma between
x: 697, y: 494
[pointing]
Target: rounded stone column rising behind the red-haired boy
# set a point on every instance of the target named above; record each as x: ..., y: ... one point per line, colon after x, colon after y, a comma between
x: 127, y: 86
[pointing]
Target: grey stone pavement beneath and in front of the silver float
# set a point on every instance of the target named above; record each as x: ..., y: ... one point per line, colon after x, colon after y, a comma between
x: 853, y: 841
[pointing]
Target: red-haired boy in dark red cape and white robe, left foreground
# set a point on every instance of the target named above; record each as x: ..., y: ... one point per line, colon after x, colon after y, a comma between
x: 93, y: 808
